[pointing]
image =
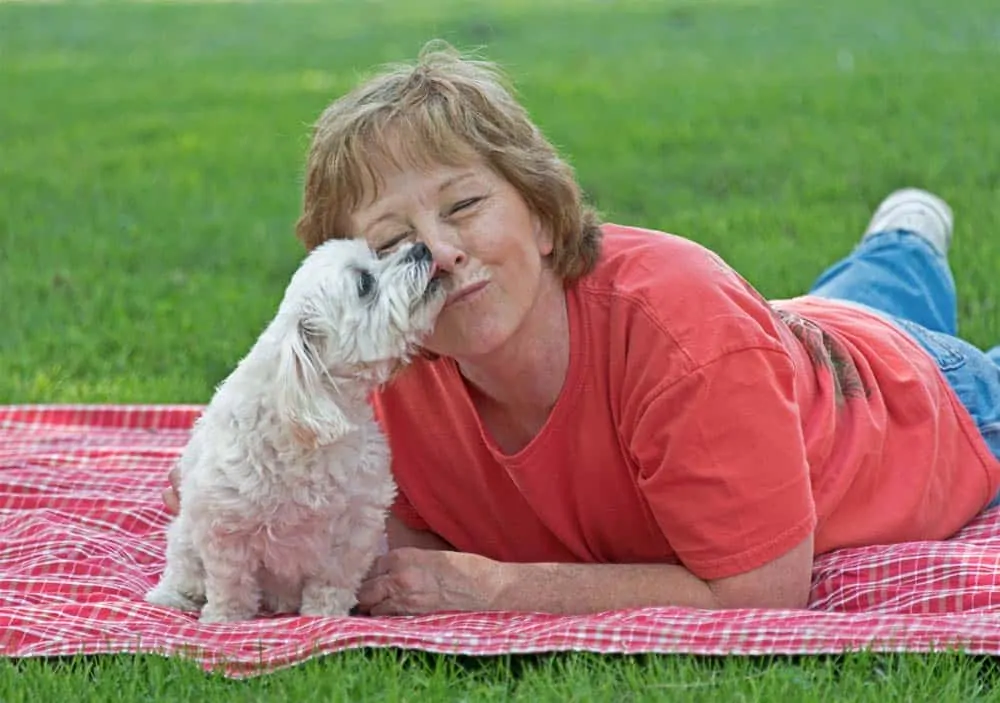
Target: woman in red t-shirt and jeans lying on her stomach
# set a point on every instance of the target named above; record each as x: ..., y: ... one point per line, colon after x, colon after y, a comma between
x: 609, y: 417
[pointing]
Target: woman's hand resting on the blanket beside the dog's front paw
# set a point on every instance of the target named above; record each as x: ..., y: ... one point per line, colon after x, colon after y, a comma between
x: 410, y: 581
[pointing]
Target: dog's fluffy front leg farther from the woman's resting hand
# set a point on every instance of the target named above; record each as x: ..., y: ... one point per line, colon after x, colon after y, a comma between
x: 231, y: 587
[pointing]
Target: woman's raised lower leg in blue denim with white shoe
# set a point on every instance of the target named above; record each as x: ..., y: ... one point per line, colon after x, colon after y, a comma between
x: 900, y: 267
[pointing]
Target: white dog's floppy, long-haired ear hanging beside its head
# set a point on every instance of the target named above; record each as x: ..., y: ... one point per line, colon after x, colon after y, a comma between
x: 306, y: 397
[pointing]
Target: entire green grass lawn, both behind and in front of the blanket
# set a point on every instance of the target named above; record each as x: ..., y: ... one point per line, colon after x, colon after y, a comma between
x: 150, y: 166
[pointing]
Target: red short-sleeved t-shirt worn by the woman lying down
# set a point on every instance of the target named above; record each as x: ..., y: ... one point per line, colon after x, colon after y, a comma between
x: 699, y: 424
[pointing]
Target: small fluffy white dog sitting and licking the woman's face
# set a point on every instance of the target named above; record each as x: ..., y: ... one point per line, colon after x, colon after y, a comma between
x: 285, y: 483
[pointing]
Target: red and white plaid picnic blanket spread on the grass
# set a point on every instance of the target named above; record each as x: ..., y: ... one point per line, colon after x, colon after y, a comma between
x: 82, y: 540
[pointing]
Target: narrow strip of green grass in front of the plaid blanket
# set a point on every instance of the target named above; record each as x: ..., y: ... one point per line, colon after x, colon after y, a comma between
x: 393, y: 676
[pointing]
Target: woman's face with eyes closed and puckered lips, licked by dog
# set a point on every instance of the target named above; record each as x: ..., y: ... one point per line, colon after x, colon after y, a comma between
x: 487, y: 243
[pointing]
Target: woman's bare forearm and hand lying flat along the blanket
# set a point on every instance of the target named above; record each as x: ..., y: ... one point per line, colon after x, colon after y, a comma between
x: 413, y: 581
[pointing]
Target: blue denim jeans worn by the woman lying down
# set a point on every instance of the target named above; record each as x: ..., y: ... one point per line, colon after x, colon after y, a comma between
x: 904, y: 278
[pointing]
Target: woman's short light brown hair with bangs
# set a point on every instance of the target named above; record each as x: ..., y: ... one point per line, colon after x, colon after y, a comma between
x: 441, y: 110
